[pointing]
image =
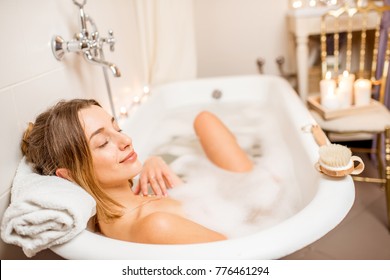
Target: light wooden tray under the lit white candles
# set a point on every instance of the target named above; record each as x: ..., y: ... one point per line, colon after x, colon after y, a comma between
x: 314, y: 103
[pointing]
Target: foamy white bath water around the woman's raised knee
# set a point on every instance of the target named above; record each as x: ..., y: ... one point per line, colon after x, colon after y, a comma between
x: 235, y: 204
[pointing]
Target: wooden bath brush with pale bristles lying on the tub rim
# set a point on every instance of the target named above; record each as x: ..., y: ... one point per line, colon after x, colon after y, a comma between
x: 335, y: 160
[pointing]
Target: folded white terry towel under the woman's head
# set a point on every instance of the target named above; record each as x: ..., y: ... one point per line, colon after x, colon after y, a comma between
x: 44, y: 211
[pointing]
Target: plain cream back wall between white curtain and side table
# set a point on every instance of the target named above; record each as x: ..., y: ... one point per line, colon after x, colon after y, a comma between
x: 232, y: 34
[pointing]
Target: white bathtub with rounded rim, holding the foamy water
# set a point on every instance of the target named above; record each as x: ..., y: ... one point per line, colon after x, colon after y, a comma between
x: 326, y: 201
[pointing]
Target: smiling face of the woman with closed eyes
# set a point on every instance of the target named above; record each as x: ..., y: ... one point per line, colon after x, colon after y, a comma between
x: 114, y: 158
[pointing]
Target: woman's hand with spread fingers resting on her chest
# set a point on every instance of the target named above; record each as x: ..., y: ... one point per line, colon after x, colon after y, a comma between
x: 158, y: 175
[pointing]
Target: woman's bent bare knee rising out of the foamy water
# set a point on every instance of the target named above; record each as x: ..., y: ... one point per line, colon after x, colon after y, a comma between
x: 220, y: 144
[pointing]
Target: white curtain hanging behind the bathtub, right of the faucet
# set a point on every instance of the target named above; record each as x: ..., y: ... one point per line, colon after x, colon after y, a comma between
x: 167, y: 37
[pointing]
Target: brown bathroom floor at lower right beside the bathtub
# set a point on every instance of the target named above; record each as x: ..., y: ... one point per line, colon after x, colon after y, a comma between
x: 362, y: 235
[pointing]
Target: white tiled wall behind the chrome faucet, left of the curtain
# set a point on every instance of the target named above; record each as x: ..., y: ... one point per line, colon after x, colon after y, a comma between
x: 31, y: 79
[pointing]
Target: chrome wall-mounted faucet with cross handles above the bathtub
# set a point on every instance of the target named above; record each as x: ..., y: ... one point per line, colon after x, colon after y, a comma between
x: 89, y: 44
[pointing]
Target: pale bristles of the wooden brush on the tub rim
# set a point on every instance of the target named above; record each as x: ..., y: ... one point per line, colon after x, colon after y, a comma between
x: 335, y: 155
